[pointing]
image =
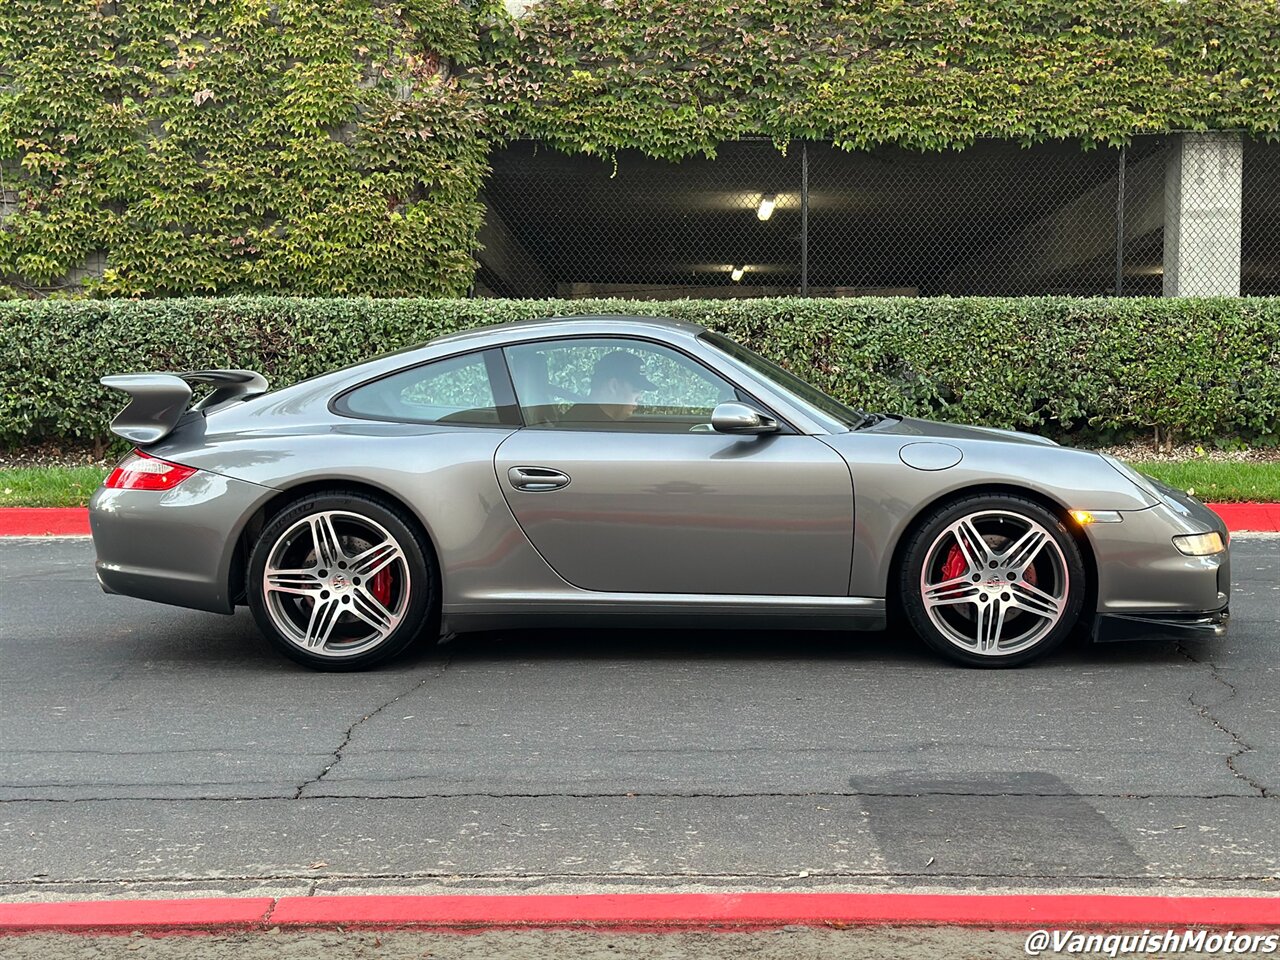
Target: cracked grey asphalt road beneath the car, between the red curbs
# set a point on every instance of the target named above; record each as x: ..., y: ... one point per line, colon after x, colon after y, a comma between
x: 158, y: 752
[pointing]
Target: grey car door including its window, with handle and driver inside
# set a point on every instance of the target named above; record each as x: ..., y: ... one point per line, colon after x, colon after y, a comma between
x: 653, y: 501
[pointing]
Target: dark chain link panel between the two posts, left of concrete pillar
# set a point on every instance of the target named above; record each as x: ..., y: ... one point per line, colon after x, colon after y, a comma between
x: 994, y: 220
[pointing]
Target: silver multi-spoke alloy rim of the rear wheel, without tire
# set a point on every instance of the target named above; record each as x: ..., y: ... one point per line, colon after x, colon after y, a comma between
x: 321, y: 586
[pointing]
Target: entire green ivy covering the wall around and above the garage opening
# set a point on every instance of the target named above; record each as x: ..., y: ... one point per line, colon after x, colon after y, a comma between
x: 323, y: 147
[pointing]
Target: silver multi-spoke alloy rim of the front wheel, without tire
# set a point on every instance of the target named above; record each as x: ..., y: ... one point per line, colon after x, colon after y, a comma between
x: 1014, y: 588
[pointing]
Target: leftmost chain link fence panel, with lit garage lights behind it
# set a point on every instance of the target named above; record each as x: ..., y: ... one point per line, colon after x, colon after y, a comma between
x: 577, y: 227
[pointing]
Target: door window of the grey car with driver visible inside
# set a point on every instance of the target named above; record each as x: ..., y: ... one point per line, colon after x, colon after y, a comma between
x: 614, y: 385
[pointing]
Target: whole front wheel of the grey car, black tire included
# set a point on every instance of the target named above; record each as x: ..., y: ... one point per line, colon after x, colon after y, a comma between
x: 1057, y: 572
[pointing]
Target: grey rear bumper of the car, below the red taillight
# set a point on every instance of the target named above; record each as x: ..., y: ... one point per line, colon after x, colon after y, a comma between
x: 176, y: 546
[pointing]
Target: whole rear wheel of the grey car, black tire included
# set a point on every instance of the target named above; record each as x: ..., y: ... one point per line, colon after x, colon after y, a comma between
x: 341, y: 582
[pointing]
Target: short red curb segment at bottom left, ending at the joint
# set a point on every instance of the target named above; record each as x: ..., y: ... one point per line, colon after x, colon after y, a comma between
x: 127, y: 916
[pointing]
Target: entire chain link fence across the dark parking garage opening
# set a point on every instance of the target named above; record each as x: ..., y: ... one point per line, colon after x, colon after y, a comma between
x: 1181, y: 216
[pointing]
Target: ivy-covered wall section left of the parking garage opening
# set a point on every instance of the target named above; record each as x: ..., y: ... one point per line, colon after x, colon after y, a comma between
x: 307, y: 147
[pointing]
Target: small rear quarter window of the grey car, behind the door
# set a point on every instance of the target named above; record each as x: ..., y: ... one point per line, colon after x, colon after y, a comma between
x: 452, y: 391
